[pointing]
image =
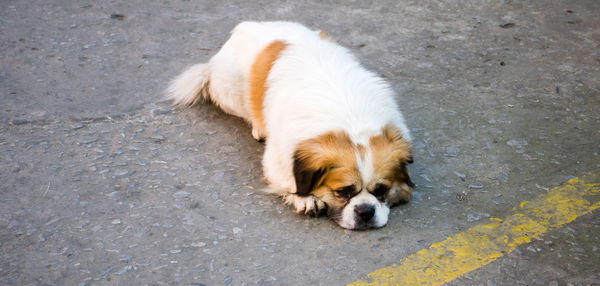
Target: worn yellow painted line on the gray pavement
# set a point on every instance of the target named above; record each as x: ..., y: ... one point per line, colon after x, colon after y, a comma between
x: 478, y: 246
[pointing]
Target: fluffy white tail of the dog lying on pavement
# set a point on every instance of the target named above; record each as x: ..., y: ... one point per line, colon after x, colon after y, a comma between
x: 190, y: 87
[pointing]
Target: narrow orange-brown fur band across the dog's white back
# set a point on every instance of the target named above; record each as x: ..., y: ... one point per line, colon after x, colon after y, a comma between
x: 258, y: 82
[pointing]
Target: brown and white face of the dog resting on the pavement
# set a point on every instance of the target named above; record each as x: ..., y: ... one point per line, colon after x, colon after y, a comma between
x: 359, y: 183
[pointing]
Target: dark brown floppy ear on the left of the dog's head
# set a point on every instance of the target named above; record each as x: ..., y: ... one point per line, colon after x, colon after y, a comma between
x: 307, y: 177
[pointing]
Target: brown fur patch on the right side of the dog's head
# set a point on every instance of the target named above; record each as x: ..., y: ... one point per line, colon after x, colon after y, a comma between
x: 390, y: 154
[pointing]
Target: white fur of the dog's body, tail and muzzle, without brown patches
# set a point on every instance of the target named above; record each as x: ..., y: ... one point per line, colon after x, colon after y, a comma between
x: 314, y: 87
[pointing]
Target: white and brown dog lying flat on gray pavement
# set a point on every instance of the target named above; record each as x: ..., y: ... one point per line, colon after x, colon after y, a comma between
x: 336, y: 141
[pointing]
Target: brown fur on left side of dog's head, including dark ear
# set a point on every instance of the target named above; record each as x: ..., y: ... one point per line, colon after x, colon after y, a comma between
x: 328, y: 159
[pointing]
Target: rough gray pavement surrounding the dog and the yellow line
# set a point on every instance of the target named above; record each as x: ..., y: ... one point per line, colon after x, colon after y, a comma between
x: 103, y: 184
